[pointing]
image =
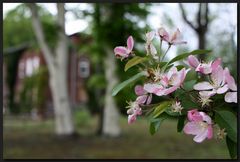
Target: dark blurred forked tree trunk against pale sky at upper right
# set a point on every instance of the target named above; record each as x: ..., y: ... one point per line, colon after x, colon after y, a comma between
x: 202, y: 22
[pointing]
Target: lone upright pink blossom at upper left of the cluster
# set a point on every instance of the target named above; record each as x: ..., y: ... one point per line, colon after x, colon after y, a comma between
x: 124, y: 52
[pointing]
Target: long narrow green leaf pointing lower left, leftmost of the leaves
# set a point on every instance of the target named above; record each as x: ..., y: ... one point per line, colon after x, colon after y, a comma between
x: 126, y: 82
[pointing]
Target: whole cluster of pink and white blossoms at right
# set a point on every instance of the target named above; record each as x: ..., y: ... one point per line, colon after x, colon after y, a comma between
x: 166, y: 80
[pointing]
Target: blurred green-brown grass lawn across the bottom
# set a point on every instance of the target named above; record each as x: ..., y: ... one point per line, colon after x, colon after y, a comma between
x: 31, y: 139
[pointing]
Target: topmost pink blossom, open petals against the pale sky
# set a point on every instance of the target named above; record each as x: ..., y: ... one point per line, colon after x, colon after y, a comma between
x: 174, y: 39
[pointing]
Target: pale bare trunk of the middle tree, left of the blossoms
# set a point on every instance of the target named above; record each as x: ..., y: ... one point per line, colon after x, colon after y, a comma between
x: 111, y: 114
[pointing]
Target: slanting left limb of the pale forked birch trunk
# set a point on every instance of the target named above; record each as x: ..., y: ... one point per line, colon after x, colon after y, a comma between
x: 37, y: 27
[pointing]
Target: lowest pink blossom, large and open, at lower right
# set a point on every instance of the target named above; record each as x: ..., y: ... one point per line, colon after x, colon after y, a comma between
x: 200, y: 125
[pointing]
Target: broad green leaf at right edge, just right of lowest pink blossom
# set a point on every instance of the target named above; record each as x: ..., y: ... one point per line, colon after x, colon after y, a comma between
x: 227, y: 120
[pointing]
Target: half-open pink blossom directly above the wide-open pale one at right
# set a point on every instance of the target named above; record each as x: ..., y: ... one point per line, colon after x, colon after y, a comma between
x: 204, y: 68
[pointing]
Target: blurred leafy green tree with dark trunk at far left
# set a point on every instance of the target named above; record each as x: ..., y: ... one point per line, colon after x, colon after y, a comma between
x: 17, y: 20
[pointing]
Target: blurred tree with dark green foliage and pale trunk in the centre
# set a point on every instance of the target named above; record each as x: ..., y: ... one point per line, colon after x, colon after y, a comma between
x: 108, y: 34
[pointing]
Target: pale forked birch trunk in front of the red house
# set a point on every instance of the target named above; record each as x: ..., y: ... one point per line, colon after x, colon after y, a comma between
x: 57, y: 60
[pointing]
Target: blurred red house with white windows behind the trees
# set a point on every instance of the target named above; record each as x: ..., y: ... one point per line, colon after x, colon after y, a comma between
x: 78, y: 72
